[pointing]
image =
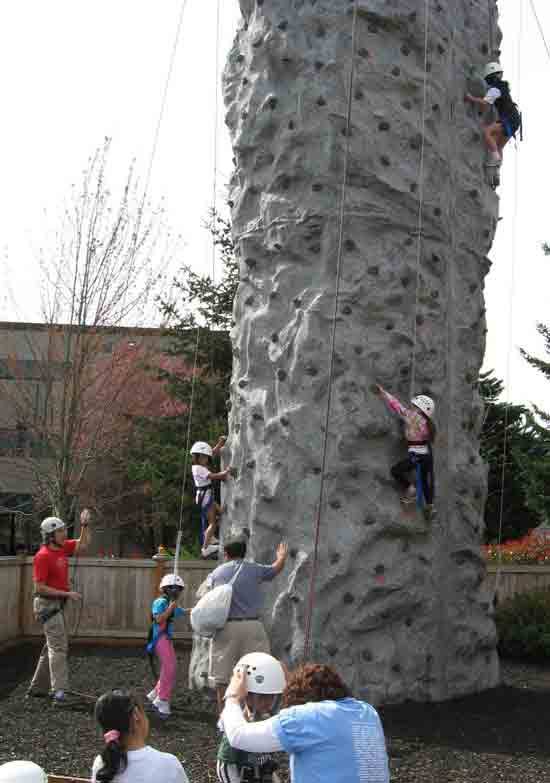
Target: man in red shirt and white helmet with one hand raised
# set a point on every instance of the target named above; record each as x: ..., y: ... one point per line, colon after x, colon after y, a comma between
x: 51, y: 591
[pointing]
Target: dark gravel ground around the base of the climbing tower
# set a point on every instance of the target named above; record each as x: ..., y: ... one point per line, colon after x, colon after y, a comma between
x: 500, y: 735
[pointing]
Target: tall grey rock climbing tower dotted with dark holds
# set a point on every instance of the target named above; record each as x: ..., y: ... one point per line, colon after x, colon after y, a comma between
x: 398, y: 606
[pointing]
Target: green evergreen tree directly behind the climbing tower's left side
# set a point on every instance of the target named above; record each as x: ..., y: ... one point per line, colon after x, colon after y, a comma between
x: 200, y: 316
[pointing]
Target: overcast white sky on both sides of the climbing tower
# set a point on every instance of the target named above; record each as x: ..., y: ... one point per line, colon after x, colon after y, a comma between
x: 76, y: 71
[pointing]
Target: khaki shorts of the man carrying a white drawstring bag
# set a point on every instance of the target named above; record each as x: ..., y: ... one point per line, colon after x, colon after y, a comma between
x: 236, y: 638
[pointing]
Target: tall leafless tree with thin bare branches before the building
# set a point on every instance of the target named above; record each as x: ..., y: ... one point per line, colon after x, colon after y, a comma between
x: 66, y: 401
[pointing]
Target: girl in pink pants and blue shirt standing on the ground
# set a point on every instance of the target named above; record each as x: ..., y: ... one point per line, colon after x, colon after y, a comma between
x: 164, y: 611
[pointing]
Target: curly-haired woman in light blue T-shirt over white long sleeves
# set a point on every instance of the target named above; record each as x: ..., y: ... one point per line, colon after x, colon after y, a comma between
x: 329, y: 735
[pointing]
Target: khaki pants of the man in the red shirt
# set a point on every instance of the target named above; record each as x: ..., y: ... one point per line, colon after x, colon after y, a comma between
x: 51, y: 672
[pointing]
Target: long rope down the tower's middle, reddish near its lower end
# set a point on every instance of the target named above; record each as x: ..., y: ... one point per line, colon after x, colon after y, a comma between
x: 315, y: 560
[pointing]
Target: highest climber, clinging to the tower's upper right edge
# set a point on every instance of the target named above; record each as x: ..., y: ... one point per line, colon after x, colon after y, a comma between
x: 498, y: 133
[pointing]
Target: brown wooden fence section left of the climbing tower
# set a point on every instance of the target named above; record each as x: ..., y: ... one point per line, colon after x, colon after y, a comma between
x: 116, y: 597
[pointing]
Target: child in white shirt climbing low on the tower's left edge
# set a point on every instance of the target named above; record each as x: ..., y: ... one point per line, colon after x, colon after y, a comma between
x: 201, y: 453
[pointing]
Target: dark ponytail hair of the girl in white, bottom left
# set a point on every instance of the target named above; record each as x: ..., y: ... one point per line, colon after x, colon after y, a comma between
x: 114, y: 710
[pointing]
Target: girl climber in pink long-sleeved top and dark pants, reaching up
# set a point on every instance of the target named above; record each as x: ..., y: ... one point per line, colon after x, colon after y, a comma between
x: 420, y: 434
